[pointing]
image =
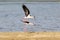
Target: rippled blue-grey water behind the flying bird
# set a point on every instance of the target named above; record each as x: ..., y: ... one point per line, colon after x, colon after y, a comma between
x: 47, y: 17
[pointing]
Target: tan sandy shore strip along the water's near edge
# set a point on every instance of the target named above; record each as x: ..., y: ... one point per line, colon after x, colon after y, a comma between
x: 29, y: 35
